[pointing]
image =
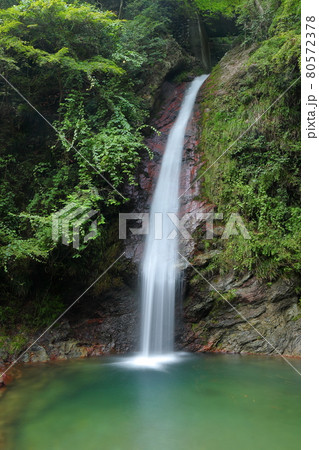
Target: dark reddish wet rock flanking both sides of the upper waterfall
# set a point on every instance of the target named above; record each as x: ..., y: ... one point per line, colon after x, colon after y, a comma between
x: 171, y: 96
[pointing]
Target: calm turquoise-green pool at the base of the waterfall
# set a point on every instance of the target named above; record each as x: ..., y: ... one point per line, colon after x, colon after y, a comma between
x: 221, y: 402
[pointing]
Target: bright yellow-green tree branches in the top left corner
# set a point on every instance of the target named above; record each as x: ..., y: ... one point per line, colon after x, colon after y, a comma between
x: 48, y: 34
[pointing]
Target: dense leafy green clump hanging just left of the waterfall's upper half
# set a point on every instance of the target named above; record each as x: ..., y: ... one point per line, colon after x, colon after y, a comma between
x: 113, y: 148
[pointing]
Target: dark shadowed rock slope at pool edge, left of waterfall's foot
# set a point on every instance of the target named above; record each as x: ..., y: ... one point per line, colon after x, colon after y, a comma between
x: 97, y: 327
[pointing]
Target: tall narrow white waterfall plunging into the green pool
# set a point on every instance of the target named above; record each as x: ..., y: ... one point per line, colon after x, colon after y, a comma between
x: 159, y: 270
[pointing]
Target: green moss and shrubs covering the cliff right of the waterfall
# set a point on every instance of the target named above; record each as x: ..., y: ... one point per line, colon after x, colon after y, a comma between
x: 259, y: 176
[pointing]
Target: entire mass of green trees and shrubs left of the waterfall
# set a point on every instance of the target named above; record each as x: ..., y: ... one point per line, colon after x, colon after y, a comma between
x: 91, y: 76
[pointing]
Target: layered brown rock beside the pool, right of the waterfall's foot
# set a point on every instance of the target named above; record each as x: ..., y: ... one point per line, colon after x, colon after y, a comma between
x: 246, y: 316
